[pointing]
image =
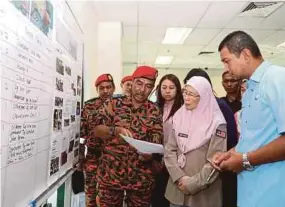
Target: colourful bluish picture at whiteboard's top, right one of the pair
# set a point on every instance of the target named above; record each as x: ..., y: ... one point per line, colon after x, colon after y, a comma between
x: 42, y: 16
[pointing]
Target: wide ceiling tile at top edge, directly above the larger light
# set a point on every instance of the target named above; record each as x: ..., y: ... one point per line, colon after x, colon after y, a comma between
x: 171, y: 14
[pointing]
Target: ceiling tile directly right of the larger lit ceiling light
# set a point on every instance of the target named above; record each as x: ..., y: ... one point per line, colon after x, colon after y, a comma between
x: 201, y: 36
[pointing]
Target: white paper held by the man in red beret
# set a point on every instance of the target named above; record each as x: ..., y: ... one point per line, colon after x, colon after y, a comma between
x: 143, y: 146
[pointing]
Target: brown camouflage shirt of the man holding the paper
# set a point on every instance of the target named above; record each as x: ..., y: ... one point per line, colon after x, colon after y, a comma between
x: 120, y: 167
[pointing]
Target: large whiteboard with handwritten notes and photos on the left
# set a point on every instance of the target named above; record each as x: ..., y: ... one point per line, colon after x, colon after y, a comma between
x: 41, y: 84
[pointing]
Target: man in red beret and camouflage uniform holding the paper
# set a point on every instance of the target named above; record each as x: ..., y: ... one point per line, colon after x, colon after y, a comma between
x: 124, y: 174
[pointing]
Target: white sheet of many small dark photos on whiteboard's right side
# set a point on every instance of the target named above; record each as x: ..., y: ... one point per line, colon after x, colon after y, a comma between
x: 66, y: 117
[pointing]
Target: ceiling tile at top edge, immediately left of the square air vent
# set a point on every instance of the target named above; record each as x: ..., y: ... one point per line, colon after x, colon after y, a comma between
x: 220, y: 14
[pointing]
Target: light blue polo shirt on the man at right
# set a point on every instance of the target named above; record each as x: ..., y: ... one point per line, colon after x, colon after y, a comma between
x: 262, y: 121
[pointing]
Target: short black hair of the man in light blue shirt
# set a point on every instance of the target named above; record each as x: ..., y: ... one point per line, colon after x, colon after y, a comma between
x: 237, y: 41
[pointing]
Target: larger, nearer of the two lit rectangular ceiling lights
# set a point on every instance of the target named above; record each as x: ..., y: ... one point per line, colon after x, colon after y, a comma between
x: 176, y: 35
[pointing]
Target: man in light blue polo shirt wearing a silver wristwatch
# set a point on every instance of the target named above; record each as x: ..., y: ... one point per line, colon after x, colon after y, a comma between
x: 260, y: 154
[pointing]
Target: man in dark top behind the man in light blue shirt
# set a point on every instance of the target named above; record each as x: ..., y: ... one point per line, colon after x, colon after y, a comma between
x: 232, y: 87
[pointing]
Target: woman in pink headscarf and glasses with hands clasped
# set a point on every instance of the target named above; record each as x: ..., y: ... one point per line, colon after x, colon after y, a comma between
x: 199, y: 132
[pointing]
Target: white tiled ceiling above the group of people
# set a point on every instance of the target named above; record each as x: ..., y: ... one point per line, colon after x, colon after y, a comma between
x: 144, y: 26
